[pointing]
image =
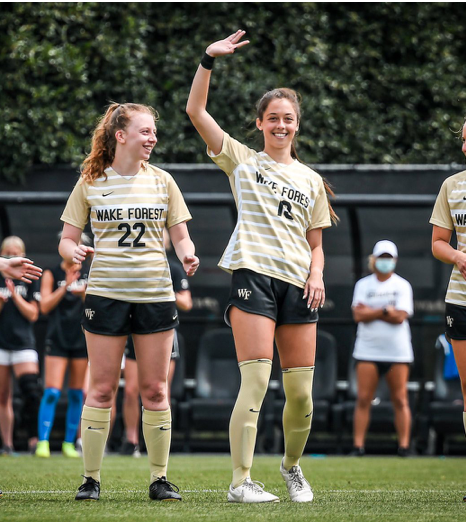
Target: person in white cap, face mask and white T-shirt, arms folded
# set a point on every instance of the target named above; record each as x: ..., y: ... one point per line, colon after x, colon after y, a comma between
x: 382, y: 303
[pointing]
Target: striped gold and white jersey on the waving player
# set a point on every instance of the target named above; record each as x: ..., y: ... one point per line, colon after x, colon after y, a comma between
x: 277, y: 204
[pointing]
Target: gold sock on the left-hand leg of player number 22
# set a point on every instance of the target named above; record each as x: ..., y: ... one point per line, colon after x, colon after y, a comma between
x: 95, y: 425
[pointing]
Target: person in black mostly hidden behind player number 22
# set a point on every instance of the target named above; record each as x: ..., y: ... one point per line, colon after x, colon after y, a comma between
x: 131, y: 410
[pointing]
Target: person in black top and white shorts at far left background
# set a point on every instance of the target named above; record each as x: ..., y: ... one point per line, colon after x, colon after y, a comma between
x: 19, y: 309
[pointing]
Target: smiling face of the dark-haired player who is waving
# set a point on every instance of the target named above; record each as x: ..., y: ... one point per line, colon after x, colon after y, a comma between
x: 279, y: 124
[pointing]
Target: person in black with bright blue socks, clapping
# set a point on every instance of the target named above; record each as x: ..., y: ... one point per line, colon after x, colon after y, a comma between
x: 62, y: 299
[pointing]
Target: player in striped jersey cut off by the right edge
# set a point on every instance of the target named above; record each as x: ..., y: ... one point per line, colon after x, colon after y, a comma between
x: 450, y: 214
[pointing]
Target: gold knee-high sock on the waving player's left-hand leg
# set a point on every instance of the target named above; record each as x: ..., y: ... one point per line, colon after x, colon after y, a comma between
x: 255, y: 377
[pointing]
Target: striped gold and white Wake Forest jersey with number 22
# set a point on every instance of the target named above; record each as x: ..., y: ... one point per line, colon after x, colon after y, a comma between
x: 128, y: 215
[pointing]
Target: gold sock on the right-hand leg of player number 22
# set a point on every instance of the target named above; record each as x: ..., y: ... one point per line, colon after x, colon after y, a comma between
x: 156, y: 427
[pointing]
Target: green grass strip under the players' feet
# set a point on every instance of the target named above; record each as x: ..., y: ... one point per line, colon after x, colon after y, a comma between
x: 346, y: 489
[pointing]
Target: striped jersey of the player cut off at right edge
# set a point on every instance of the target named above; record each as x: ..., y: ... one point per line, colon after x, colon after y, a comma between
x: 450, y: 212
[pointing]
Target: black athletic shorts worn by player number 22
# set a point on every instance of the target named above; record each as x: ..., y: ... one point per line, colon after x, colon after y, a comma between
x: 106, y: 316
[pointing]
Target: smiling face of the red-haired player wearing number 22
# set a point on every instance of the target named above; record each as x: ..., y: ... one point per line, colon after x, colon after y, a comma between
x: 139, y: 137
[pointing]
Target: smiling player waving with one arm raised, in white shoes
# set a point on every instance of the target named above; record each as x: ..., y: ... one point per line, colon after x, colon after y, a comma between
x: 275, y: 255
